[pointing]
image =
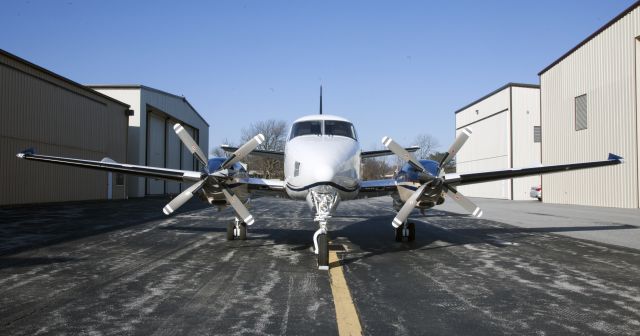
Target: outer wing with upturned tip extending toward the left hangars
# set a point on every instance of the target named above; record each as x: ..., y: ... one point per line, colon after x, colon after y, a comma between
x: 109, y: 165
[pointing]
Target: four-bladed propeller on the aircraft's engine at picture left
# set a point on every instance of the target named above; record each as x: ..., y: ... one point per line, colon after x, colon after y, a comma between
x: 218, y: 175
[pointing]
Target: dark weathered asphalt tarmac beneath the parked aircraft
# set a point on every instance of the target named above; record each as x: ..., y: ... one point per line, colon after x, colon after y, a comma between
x: 121, y: 267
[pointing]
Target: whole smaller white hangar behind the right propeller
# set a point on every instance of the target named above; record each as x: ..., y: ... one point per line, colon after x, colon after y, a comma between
x: 506, y: 134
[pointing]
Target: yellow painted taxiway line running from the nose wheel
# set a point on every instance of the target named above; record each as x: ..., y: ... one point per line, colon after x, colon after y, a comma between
x: 346, y: 314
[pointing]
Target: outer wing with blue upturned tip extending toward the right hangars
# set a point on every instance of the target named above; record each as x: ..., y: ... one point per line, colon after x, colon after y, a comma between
x: 470, y: 178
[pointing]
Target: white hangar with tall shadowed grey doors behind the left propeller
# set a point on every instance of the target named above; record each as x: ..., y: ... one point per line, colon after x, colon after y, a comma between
x: 152, y: 140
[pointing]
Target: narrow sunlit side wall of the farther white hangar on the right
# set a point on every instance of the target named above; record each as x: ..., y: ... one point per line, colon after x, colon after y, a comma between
x: 525, y: 103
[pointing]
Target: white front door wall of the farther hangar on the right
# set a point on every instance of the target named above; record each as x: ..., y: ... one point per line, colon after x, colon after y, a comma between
x: 488, y: 148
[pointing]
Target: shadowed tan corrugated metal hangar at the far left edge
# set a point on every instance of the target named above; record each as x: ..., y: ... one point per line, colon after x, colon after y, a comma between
x: 56, y: 116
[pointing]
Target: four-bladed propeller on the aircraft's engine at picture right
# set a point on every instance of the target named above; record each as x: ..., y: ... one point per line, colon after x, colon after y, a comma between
x: 427, y: 179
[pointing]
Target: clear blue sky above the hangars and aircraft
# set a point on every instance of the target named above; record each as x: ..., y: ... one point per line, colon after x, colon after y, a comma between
x: 396, y: 68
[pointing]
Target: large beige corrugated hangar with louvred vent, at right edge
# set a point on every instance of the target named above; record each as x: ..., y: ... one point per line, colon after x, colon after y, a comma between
x: 589, y: 107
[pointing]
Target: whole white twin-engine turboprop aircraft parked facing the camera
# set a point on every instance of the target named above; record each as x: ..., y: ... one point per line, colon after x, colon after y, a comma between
x: 322, y: 167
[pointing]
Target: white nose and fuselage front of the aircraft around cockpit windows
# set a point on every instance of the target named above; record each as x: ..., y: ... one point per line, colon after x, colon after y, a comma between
x: 322, y: 161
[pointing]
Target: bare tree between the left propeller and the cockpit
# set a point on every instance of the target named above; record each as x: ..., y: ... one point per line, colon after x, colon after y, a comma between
x: 275, y: 134
